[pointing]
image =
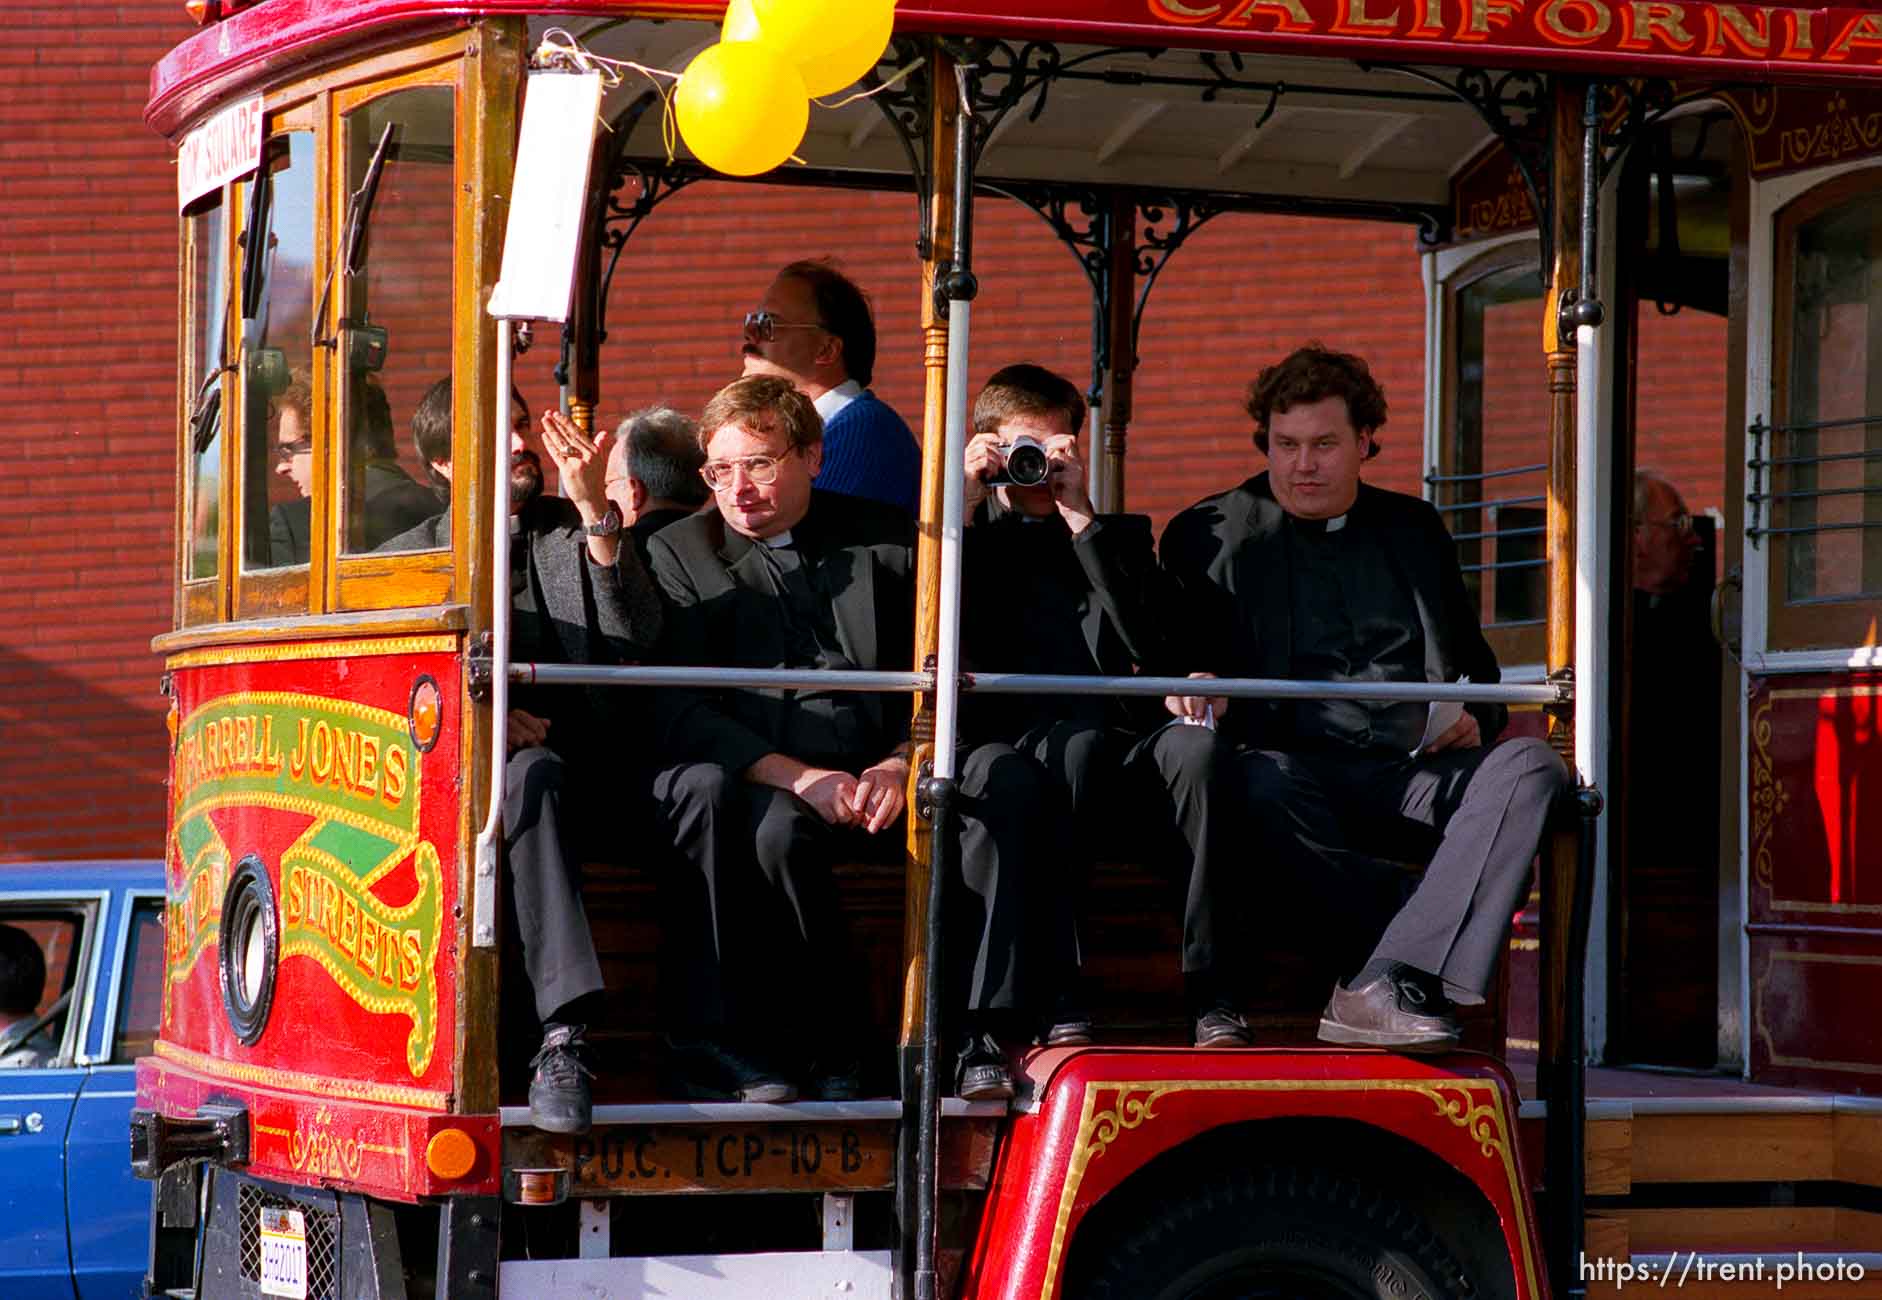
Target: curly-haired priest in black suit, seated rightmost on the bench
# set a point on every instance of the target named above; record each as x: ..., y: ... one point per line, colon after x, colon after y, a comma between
x: 1307, y: 573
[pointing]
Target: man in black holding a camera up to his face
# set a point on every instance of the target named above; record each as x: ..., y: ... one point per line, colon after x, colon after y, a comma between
x: 1055, y: 588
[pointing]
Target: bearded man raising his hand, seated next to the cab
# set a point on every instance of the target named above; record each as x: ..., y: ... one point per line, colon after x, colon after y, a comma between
x: 577, y: 597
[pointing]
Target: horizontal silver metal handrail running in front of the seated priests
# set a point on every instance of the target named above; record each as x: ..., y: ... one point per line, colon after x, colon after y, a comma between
x: 1044, y: 684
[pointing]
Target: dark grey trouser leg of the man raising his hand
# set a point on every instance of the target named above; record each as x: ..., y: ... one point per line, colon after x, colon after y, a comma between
x: 545, y: 883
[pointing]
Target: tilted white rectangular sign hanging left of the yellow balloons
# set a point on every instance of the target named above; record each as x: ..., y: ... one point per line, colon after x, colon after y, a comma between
x: 552, y: 166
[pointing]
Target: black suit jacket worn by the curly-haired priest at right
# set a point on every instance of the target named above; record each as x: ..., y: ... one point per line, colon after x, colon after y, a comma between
x: 1226, y: 560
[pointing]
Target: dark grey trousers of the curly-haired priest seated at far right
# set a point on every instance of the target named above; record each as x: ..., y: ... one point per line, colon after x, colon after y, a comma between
x: 1478, y: 814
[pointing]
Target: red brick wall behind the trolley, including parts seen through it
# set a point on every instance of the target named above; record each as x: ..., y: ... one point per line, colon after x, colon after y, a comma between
x: 88, y: 323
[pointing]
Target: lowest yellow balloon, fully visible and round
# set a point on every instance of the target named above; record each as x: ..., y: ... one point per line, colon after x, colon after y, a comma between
x: 742, y: 108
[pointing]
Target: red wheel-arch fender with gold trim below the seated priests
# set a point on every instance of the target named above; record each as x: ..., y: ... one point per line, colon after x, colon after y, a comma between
x: 1104, y: 1115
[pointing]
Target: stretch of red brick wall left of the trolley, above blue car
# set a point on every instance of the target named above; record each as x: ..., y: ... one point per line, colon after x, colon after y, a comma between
x: 88, y: 362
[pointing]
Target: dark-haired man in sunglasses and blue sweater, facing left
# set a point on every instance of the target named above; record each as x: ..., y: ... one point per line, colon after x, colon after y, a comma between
x: 816, y: 330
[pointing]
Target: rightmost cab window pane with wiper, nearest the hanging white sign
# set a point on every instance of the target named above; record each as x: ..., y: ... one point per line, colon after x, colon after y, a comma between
x: 398, y: 323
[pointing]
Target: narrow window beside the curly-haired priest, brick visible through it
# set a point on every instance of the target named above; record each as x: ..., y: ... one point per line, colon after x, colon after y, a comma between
x: 1495, y: 462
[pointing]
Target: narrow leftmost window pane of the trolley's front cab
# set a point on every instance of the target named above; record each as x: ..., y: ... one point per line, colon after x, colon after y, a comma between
x: 204, y: 383
